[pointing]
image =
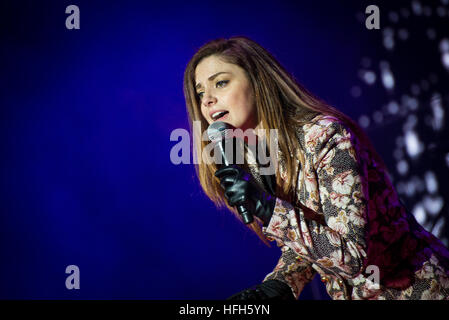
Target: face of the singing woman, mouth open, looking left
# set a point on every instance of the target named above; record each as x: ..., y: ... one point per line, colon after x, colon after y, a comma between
x: 225, y: 87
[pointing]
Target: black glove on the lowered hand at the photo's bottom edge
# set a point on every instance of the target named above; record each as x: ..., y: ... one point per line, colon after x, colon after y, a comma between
x: 268, y: 290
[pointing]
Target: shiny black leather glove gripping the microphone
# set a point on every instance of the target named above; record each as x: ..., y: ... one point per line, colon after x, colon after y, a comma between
x: 241, y: 189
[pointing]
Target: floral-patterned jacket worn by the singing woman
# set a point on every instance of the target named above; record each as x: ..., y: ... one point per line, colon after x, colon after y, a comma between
x: 352, y: 228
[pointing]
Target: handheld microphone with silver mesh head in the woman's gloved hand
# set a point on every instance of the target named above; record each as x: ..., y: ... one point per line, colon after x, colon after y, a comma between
x: 220, y: 133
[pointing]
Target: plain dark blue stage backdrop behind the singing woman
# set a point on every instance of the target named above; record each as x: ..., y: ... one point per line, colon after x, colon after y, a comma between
x: 86, y: 117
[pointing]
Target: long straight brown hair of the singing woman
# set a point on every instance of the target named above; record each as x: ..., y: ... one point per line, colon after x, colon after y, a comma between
x: 281, y: 102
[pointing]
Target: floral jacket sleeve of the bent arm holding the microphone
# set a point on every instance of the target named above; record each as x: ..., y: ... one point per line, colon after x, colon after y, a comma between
x: 333, y: 168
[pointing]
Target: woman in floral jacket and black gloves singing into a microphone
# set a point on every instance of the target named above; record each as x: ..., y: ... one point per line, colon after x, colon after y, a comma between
x: 330, y: 207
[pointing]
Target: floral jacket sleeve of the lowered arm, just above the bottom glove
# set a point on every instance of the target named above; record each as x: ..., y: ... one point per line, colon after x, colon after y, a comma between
x: 292, y: 270
